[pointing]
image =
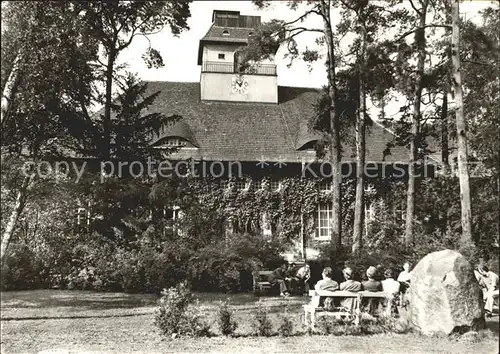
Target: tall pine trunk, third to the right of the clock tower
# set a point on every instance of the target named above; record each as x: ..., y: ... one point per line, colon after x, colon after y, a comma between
x: 415, y: 128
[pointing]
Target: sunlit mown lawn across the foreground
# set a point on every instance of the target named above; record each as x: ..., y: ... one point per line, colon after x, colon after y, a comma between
x: 54, y: 321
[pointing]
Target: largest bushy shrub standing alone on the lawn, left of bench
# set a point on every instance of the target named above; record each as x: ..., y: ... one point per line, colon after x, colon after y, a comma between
x: 173, y: 317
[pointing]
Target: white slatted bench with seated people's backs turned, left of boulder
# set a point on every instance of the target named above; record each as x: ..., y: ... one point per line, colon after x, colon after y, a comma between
x: 313, y: 310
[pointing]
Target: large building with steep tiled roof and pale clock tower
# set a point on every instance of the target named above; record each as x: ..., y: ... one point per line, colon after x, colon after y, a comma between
x: 245, y: 117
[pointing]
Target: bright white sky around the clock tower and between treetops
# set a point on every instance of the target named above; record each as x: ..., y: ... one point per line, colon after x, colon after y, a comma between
x: 180, y: 53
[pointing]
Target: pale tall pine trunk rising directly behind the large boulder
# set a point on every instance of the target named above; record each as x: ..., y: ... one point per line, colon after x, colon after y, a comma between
x: 463, y: 170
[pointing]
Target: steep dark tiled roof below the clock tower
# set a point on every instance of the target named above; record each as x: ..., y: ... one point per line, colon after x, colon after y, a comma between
x: 227, y: 131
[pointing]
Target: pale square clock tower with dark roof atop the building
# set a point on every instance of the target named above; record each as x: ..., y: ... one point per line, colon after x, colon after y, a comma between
x: 218, y: 54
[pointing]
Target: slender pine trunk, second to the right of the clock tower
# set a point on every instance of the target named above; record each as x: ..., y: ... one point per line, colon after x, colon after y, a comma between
x: 359, y: 205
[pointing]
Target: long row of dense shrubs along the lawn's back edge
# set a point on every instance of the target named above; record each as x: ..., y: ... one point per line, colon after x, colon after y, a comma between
x: 218, y: 267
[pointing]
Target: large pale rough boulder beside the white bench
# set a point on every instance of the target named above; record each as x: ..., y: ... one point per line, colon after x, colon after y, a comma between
x: 444, y: 295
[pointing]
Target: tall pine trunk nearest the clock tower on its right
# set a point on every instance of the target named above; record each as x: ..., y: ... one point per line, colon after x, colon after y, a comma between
x: 335, y: 148
